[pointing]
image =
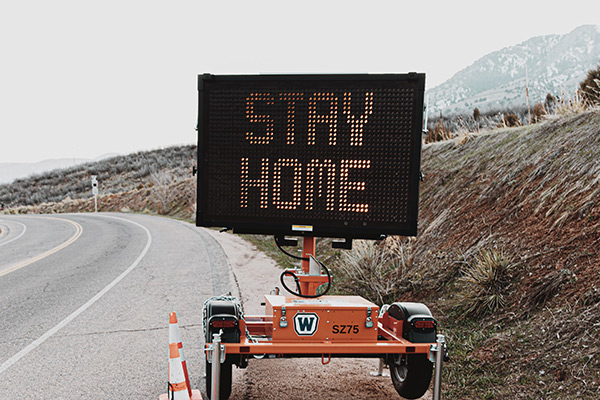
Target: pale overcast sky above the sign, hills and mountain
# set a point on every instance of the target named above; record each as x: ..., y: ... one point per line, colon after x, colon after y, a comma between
x: 85, y: 78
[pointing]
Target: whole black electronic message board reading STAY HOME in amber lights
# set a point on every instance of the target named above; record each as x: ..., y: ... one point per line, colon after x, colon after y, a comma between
x: 312, y: 155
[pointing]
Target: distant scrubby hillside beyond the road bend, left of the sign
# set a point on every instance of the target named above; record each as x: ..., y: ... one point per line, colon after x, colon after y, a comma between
x: 157, y: 181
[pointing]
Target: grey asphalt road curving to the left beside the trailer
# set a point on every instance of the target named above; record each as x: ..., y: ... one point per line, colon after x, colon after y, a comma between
x: 84, y: 303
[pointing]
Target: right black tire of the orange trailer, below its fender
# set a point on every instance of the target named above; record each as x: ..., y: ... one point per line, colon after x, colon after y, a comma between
x: 411, y: 375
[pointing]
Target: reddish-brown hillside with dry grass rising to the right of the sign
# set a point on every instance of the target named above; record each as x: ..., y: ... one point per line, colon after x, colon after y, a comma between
x: 531, y: 195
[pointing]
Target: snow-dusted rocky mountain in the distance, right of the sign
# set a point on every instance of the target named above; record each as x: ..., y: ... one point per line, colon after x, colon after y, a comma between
x: 555, y: 64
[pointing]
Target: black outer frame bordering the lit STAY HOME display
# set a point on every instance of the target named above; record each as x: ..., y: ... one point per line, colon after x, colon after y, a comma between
x: 289, y: 226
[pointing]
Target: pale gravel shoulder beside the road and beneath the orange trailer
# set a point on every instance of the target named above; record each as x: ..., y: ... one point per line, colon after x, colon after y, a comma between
x: 257, y: 274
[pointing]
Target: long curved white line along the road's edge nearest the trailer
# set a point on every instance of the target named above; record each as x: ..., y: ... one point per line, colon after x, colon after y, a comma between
x: 8, y: 363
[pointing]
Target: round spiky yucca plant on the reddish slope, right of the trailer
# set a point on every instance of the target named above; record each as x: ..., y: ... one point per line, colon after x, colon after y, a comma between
x: 485, y: 281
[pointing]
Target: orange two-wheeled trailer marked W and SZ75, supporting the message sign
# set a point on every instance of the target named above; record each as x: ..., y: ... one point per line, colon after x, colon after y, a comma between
x: 402, y: 335
